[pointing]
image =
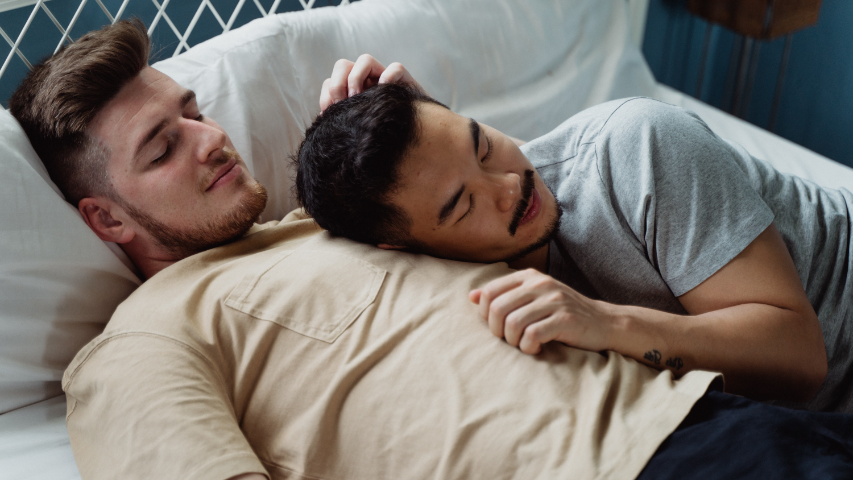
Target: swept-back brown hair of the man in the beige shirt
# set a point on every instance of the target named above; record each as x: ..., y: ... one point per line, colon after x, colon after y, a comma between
x: 58, y: 100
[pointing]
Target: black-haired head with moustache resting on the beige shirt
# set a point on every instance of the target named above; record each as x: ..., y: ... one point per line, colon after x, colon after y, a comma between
x: 394, y: 168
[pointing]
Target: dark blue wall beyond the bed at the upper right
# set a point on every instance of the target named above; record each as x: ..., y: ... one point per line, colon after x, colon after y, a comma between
x: 816, y: 108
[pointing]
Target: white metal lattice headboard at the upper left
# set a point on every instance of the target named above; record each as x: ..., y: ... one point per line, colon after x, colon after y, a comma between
x: 40, y: 5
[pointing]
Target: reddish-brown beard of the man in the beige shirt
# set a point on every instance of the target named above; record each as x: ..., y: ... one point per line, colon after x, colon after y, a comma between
x: 225, y: 228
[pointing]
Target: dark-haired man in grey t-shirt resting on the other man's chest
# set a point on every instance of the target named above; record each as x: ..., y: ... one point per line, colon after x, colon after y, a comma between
x: 661, y: 242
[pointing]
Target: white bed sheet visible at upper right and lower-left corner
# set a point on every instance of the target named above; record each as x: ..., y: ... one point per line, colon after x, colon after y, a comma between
x: 34, y: 442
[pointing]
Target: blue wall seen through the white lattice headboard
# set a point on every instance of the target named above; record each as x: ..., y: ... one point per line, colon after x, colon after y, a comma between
x: 42, y: 37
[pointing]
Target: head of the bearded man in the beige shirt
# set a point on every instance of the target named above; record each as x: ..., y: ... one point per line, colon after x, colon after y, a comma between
x: 128, y: 146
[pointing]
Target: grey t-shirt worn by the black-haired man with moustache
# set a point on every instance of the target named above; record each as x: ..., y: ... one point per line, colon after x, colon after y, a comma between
x: 654, y: 203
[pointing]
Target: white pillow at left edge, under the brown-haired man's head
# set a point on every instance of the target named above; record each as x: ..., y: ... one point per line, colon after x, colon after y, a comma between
x: 59, y: 283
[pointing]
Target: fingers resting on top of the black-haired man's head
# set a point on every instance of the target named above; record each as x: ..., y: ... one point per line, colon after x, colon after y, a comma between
x: 351, y: 78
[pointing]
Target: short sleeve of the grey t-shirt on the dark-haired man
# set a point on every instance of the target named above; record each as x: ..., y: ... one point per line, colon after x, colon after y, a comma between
x: 679, y: 190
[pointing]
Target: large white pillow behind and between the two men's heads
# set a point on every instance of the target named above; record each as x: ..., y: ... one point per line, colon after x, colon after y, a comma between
x: 522, y: 66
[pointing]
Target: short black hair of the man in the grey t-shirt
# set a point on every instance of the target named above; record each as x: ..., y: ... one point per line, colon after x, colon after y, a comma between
x: 348, y: 164
